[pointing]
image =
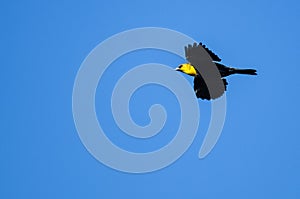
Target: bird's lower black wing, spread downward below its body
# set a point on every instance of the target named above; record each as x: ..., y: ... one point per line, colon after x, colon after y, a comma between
x: 202, y: 91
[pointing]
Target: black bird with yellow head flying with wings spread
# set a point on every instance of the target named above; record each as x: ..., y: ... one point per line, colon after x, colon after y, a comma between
x: 201, y: 58
